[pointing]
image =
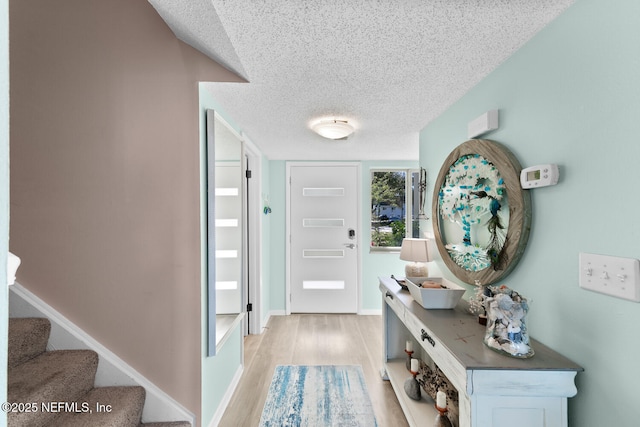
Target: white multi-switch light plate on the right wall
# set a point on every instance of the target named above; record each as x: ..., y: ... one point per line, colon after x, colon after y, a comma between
x: 615, y: 276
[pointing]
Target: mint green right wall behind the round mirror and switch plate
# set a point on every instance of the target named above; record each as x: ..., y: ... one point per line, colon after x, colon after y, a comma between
x: 571, y: 96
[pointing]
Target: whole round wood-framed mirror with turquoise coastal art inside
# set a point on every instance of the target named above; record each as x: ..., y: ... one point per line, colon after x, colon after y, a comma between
x: 481, y: 215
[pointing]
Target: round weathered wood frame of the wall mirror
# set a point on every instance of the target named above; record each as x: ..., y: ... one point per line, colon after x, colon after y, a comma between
x: 519, y: 204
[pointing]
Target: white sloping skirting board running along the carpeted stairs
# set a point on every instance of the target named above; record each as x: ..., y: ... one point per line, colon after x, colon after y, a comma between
x: 112, y: 371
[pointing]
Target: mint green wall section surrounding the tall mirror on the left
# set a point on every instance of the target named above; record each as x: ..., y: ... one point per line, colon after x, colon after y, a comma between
x: 217, y: 371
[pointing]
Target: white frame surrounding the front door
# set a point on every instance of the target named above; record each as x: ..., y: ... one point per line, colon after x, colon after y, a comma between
x: 358, y: 166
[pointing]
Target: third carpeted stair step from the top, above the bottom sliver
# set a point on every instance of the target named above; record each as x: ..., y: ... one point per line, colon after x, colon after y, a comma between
x: 106, y: 407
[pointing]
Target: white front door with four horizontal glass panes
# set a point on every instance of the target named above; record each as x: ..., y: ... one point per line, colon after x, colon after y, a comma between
x: 323, y: 237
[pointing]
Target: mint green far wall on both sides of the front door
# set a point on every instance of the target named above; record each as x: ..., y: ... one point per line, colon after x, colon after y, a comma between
x: 372, y: 265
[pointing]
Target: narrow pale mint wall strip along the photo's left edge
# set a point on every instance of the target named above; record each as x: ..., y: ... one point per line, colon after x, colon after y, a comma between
x: 4, y: 192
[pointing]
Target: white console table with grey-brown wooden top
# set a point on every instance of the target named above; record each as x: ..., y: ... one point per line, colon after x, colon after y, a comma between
x: 494, y: 390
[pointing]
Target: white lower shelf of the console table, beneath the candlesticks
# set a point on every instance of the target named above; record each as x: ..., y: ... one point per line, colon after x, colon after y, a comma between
x: 416, y: 411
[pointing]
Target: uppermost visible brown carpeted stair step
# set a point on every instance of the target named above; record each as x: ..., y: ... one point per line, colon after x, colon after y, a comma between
x: 27, y: 339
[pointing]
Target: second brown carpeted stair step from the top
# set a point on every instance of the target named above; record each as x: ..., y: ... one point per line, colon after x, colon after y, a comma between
x: 54, y: 376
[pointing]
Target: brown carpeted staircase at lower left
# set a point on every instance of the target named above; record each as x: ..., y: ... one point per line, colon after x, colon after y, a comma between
x: 56, y: 388
